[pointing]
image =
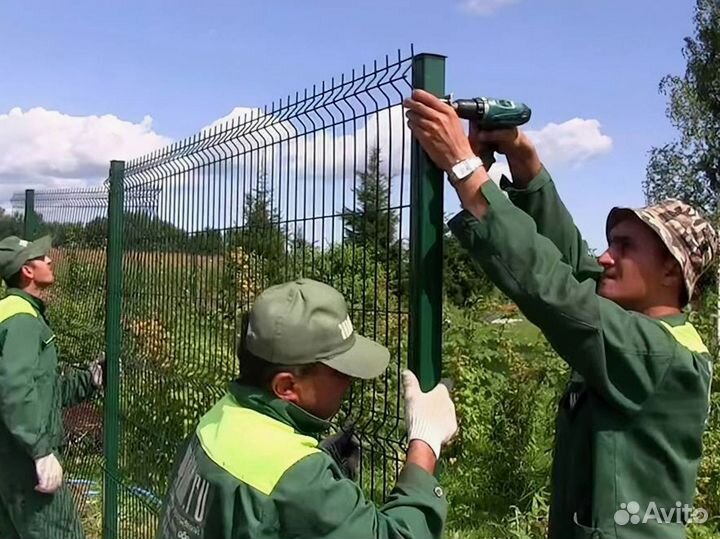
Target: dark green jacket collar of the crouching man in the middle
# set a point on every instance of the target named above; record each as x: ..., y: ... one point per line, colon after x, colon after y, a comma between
x: 286, y: 412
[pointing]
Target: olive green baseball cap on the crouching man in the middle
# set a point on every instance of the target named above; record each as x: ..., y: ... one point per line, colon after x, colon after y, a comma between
x: 306, y: 321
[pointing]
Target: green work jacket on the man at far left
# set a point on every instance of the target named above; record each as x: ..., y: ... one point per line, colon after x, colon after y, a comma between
x: 33, y: 391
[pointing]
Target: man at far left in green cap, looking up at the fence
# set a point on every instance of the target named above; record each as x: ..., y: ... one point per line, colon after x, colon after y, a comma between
x: 34, y: 502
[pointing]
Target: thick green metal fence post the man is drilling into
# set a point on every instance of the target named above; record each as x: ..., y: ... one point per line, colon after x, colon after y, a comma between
x: 426, y: 236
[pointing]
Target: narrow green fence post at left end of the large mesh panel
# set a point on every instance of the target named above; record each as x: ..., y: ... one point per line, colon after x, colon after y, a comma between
x: 113, y: 336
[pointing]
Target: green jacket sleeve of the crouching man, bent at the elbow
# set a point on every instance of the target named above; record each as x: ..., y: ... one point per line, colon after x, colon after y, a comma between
x: 314, y: 501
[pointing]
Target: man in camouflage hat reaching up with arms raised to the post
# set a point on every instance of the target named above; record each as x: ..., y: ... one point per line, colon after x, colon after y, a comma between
x: 631, y: 421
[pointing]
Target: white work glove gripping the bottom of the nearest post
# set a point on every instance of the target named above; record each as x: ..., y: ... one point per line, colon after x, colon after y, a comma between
x: 430, y: 416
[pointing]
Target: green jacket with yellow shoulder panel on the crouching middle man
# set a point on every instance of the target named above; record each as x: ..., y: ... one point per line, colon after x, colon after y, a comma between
x: 253, y: 470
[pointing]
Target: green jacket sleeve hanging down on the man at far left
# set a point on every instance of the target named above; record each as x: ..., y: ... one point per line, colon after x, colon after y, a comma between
x: 20, y: 408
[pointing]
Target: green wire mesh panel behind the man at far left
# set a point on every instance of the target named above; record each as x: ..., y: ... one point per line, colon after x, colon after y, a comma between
x: 76, y: 310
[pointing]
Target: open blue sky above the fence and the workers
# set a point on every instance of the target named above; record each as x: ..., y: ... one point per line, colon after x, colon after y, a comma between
x: 185, y: 64
